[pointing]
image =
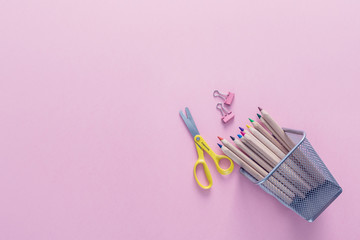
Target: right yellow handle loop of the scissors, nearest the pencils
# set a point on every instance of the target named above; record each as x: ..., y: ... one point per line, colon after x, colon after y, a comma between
x: 204, y: 146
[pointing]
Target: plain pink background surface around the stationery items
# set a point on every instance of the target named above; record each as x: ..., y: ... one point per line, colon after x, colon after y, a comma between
x: 92, y: 145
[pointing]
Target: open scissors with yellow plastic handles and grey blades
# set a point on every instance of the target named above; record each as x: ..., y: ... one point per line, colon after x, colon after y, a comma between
x: 202, y: 146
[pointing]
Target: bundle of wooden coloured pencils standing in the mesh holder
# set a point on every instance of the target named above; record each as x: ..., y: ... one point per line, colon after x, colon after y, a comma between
x: 258, y: 150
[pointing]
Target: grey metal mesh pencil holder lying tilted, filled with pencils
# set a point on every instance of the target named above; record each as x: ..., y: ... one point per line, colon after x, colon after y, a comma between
x: 301, y: 180
